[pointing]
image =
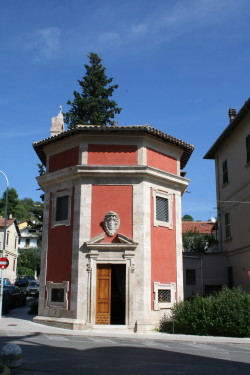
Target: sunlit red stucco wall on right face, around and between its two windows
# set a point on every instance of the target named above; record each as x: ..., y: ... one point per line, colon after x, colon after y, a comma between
x: 163, y: 251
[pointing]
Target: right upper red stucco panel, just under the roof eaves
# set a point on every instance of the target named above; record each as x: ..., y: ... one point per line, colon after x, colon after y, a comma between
x: 161, y: 161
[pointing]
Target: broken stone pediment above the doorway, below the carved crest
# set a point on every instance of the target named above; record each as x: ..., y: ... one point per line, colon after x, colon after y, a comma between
x: 125, y: 243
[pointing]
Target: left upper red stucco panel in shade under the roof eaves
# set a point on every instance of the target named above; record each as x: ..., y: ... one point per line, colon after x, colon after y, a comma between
x: 64, y: 159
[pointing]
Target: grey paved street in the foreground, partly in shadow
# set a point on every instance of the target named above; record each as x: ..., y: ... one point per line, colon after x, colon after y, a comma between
x: 69, y: 353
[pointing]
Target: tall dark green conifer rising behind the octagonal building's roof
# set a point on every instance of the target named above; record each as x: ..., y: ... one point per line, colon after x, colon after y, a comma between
x: 92, y: 105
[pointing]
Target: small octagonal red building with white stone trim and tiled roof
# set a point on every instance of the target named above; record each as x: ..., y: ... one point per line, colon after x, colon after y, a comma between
x: 112, y: 241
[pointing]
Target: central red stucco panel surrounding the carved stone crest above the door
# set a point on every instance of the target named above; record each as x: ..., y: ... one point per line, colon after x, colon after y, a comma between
x: 117, y: 198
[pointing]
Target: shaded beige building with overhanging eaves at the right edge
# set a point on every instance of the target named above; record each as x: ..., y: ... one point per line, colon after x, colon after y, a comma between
x: 231, y: 152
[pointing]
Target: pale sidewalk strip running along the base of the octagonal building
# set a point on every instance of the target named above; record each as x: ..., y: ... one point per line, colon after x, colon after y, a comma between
x: 18, y: 323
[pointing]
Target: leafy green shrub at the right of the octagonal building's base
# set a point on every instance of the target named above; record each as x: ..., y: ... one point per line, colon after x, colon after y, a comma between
x: 225, y: 314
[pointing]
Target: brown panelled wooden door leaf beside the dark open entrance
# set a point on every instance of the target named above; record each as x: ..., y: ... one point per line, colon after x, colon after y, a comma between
x: 103, y: 294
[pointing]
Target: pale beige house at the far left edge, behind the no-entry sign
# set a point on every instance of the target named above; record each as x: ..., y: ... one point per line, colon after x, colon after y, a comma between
x: 11, y: 246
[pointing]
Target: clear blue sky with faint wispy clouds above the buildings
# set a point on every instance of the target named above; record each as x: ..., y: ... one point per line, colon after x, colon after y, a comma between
x: 180, y: 65
